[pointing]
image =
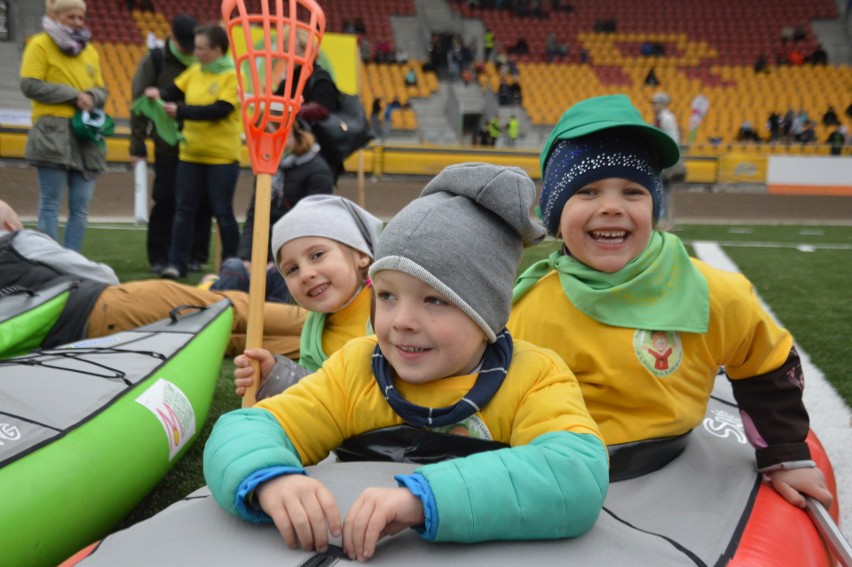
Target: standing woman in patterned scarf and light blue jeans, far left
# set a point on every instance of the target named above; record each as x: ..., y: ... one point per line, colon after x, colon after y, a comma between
x: 61, y: 75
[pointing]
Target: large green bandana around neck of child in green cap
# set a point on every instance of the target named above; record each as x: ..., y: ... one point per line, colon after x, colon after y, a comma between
x: 660, y: 289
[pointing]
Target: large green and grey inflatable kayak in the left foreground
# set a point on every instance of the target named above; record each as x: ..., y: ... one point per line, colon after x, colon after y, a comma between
x: 89, y: 428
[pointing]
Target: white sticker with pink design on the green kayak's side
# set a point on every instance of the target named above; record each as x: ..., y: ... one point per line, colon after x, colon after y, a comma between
x: 174, y: 411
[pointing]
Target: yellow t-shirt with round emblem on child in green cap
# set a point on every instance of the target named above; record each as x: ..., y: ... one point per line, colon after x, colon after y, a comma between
x: 641, y: 384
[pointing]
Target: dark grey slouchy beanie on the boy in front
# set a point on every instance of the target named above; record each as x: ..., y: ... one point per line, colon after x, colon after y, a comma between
x: 464, y: 236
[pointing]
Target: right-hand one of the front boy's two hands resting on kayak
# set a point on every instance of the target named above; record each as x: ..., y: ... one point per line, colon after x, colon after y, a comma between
x: 379, y: 512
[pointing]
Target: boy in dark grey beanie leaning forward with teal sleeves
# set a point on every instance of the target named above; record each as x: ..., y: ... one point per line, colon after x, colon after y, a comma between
x: 441, y: 362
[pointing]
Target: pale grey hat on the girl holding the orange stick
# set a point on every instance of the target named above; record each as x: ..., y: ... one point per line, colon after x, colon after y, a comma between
x: 328, y: 216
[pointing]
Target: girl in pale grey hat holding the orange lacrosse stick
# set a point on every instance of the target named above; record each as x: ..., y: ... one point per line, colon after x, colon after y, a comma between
x: 322, y: 247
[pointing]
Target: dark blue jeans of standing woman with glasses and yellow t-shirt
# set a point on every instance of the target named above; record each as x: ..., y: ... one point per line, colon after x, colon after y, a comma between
x: 194, y: 180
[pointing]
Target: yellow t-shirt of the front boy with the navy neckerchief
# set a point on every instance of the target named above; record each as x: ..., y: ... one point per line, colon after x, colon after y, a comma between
x: 341, y: 400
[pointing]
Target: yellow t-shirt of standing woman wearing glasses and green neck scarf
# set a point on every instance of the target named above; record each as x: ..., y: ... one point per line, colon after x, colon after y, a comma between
x: 210, y: 141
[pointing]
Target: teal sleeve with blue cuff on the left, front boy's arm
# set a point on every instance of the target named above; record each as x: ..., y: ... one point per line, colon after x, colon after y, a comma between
x: 244, y: 442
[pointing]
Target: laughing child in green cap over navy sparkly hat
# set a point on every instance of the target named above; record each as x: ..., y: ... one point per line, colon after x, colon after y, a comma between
x: 643, y: 326
